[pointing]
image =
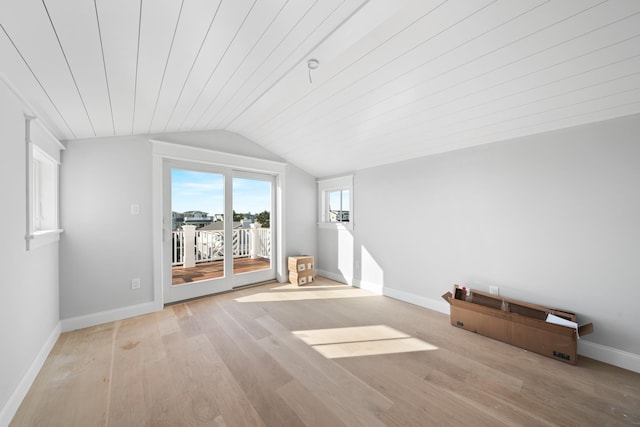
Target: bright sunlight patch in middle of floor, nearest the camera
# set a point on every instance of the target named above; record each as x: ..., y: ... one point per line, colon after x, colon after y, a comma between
x: 361, y: 341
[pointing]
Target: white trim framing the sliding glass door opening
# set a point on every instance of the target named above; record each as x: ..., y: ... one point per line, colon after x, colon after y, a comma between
x: 162, y: 150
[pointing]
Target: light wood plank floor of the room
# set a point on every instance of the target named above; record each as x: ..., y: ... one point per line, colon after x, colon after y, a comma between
x: 276, y: 355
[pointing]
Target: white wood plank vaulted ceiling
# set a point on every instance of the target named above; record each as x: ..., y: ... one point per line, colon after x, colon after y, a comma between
x: 397, y: 79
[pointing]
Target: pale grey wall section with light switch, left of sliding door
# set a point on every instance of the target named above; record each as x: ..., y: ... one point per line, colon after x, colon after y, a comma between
x: 104, y: 246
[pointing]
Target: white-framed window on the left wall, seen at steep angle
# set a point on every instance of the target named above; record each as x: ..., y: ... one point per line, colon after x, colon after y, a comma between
x: 40, y: 155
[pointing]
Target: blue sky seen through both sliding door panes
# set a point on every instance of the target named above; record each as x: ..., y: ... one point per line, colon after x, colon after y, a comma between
x: 203, y: 191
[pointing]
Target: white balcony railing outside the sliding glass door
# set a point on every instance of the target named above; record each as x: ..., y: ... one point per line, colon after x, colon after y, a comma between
x: 209, y: 244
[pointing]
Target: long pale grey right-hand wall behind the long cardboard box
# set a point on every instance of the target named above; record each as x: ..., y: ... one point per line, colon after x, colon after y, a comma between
x: 552, y: 219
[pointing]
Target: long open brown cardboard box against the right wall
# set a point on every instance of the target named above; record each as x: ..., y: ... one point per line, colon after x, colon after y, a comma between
x: 518, y: 323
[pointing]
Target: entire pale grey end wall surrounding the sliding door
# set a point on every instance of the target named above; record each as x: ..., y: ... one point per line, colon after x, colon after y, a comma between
x: 104, y: 246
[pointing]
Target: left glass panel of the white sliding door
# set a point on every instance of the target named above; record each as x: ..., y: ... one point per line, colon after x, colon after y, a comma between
x: 196, y: 257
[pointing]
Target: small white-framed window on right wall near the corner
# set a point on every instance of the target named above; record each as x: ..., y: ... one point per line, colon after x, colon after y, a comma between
x: 336, y: 202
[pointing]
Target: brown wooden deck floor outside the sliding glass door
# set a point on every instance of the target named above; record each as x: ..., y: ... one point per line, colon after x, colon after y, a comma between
x: 214, y: 270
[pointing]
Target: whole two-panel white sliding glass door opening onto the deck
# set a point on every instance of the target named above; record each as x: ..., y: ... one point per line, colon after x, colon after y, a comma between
x: 221, y: 229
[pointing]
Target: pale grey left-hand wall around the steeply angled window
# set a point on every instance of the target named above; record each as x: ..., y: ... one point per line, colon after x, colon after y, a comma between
x: 29, y: 319
